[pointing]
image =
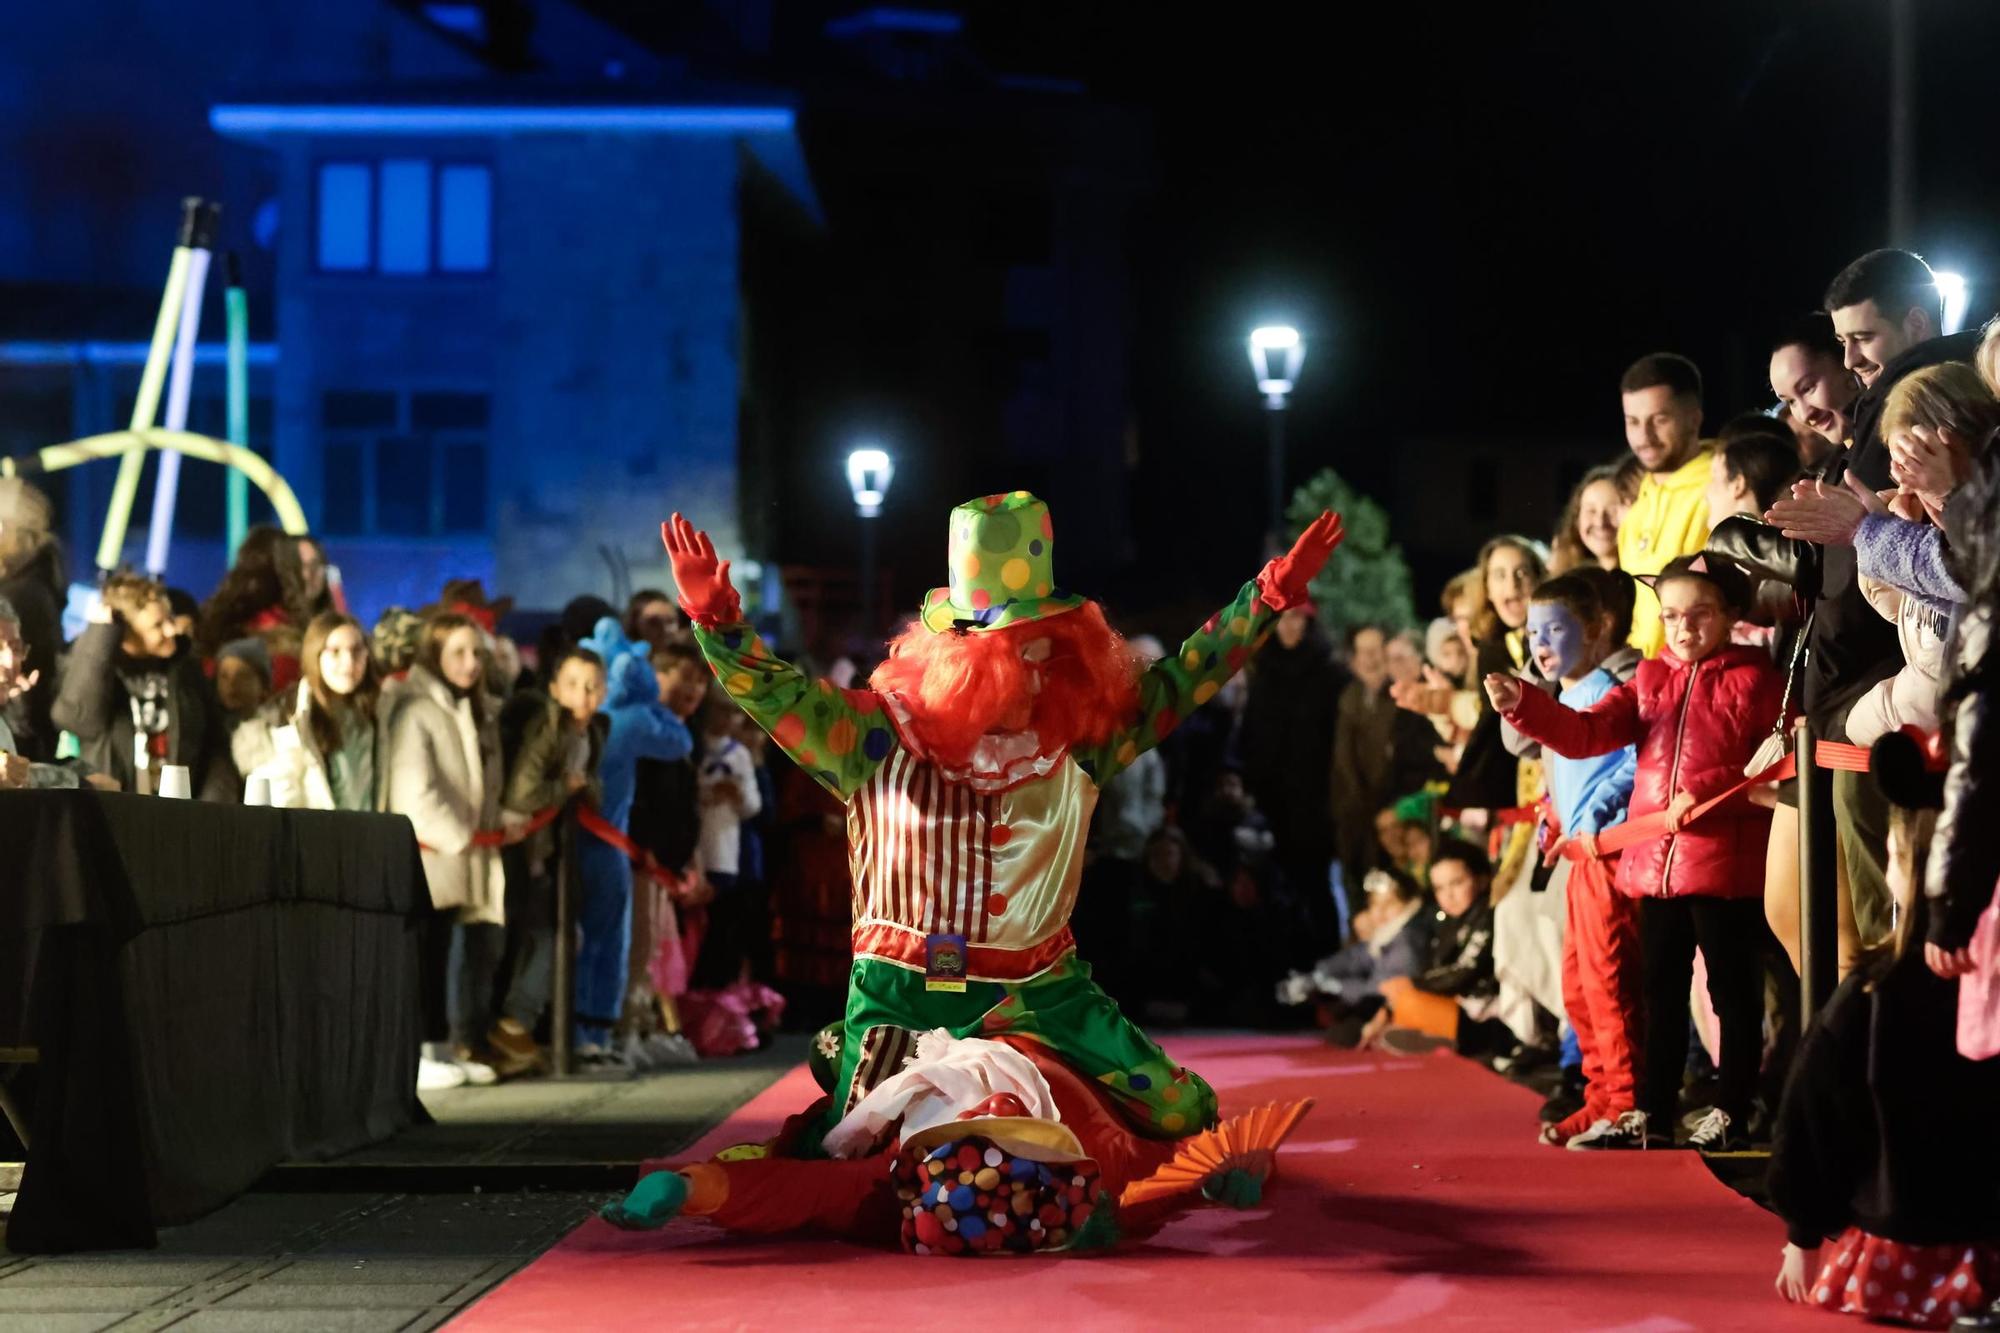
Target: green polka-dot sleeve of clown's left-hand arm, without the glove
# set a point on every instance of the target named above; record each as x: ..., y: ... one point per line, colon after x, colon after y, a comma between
x: 841, y: 738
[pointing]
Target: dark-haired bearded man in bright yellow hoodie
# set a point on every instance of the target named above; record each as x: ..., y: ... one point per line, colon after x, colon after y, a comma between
x: 1663, y: 405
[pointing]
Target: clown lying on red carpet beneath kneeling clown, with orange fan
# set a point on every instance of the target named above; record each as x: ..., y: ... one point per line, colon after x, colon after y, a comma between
x: 1003, y: 1150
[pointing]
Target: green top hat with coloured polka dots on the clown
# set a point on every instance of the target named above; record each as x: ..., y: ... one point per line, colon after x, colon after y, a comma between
x: 1003, y: 567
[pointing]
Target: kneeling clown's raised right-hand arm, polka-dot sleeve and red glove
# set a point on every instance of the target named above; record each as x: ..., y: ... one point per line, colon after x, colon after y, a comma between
x: 1211, y: 655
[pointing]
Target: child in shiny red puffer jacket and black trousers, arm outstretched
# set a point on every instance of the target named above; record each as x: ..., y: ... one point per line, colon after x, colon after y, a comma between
x: 1697, y: 716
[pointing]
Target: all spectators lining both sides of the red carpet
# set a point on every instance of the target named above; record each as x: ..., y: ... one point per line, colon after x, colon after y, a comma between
x: 1525, y: 832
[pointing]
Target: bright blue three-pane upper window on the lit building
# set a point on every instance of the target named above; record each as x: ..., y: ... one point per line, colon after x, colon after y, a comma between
x: 405, y: 217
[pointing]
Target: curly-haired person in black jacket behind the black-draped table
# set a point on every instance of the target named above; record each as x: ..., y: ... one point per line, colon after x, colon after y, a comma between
x: 139, y: 700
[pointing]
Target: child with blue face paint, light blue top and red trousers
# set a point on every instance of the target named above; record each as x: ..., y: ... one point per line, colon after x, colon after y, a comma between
x: 1571, y: 635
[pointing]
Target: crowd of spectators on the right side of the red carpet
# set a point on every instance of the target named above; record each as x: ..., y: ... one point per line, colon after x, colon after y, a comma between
x: 1531, y: 834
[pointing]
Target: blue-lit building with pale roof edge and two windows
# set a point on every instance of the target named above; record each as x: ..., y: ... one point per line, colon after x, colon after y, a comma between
x: 511, y: 331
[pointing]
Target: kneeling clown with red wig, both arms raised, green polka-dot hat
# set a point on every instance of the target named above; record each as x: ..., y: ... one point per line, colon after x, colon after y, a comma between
x: 969, y: 774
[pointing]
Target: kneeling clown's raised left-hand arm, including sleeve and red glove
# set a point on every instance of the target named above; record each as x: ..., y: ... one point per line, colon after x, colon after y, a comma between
x: 839, y: 738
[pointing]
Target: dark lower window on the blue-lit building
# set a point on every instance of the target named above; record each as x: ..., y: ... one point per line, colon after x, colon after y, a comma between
x: 403, y: 465
